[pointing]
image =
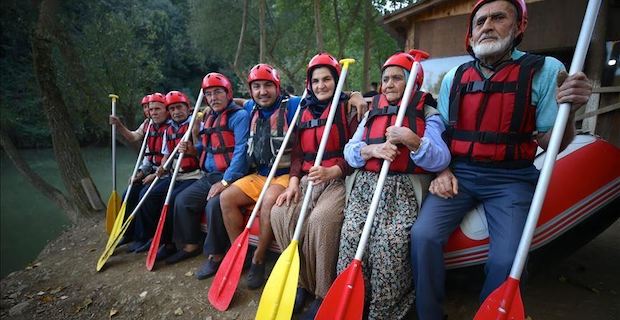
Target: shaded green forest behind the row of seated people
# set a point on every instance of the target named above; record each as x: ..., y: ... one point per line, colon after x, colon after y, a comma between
x: 133, y: 48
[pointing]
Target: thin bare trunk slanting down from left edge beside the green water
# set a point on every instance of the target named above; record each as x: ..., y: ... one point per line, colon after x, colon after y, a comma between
x: 35, y: 179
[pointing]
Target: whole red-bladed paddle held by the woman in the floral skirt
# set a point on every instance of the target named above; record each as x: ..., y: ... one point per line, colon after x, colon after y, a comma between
x: 345, y: 298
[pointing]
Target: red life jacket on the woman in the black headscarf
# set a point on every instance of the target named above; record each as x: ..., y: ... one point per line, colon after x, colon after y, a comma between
x: 311, y: 133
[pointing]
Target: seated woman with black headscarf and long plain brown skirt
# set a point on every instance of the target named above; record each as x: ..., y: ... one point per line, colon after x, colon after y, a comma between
x: 321, y: 230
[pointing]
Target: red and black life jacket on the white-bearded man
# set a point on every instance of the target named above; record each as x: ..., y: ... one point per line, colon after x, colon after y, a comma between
x: 492, y: 120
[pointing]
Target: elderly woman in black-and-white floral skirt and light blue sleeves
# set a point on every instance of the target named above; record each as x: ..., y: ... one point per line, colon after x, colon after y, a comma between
x: 416, y: 149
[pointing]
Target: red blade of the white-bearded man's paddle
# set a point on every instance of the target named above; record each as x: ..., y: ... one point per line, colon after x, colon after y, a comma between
x: 503, y: 304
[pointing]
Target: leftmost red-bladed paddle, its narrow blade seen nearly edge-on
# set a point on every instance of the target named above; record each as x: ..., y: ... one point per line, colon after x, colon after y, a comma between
x: 152, y: 255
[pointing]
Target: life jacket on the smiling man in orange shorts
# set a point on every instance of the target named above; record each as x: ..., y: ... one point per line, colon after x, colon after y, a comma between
x: 267, y: 135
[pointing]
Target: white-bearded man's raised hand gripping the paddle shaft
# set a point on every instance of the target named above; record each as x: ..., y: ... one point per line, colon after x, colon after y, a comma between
x: 575, y: 89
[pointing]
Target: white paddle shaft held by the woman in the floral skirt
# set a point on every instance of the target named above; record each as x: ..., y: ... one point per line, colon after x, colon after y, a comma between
x: 386, y: 164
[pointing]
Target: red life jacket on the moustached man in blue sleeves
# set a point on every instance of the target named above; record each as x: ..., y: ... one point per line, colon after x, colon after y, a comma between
x: 218, y: 138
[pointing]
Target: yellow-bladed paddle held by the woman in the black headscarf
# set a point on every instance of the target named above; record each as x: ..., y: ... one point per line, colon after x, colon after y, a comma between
x: 278, y: 296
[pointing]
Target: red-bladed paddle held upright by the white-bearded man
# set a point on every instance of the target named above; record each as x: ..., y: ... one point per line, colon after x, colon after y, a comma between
x: 505, y: 302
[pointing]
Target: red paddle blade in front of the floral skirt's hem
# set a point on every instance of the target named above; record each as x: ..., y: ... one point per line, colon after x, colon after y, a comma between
x: 345, y: 298
